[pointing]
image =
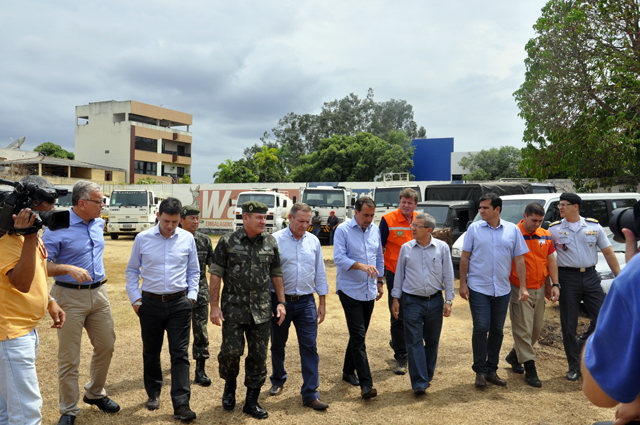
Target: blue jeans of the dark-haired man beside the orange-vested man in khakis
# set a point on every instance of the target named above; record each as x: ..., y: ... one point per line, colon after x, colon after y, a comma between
x: 488, y: 314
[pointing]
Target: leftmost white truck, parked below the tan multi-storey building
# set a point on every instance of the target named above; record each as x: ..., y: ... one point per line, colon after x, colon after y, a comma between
x: 132, y: 211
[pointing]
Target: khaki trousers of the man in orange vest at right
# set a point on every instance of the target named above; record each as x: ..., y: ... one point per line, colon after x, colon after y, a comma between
x: 526, y: 322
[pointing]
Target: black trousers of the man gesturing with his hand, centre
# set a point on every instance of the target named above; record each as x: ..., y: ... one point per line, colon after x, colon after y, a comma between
x: 358, y: 315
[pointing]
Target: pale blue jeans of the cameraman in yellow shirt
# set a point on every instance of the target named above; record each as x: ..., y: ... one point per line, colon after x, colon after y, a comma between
x: 20, y: 400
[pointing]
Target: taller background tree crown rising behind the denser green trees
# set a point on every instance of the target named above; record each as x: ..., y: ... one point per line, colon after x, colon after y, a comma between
x: 299, y: 135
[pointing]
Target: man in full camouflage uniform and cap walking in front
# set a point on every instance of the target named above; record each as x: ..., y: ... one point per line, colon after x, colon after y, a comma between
x: 245, y: 259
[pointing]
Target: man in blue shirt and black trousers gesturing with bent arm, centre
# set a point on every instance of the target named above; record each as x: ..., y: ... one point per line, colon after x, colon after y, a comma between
x: 357, y: 254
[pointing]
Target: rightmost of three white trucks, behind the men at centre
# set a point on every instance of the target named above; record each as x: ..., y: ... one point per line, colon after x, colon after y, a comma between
x: 326, y: 199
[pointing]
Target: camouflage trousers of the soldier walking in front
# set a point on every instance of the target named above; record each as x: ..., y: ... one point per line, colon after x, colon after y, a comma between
x: 255, y: 365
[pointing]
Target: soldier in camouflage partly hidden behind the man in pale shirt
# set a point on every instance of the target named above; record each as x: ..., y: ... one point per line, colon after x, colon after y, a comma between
x: 189, y: 220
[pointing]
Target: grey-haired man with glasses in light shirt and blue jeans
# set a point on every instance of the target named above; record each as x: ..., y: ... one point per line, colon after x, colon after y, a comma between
x: 423, y: 271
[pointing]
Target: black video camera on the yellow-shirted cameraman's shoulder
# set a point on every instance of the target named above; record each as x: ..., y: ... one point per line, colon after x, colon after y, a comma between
x: 26, y: 195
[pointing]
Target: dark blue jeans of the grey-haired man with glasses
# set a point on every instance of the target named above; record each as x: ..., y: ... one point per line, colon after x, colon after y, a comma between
x: 422, y: 327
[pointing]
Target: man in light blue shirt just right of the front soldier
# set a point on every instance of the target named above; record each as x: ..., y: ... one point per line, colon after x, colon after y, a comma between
x: 304, y: 275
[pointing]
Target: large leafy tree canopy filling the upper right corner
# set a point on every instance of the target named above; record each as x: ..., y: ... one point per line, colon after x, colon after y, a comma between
x: 581, y: 95
